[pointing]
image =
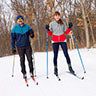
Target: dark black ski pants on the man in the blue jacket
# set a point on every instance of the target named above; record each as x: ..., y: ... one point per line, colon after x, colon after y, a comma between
x: 22, y: 51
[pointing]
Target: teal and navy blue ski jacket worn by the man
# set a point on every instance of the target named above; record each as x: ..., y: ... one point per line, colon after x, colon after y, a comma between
x: 20, y: 35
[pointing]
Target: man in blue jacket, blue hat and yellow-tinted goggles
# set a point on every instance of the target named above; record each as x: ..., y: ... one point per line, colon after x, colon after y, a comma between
x: 20, y: 37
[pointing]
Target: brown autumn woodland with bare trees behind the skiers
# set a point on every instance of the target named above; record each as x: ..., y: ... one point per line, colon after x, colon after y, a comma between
x: 38, y: 13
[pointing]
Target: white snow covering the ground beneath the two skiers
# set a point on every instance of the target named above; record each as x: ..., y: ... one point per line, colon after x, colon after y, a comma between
x: 68, y: 86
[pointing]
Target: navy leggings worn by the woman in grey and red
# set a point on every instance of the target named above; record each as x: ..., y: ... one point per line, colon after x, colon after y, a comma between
x: 65, y: 51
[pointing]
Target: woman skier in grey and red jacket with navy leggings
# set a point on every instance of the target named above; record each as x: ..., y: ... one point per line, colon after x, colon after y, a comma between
x: 57, y: 29
